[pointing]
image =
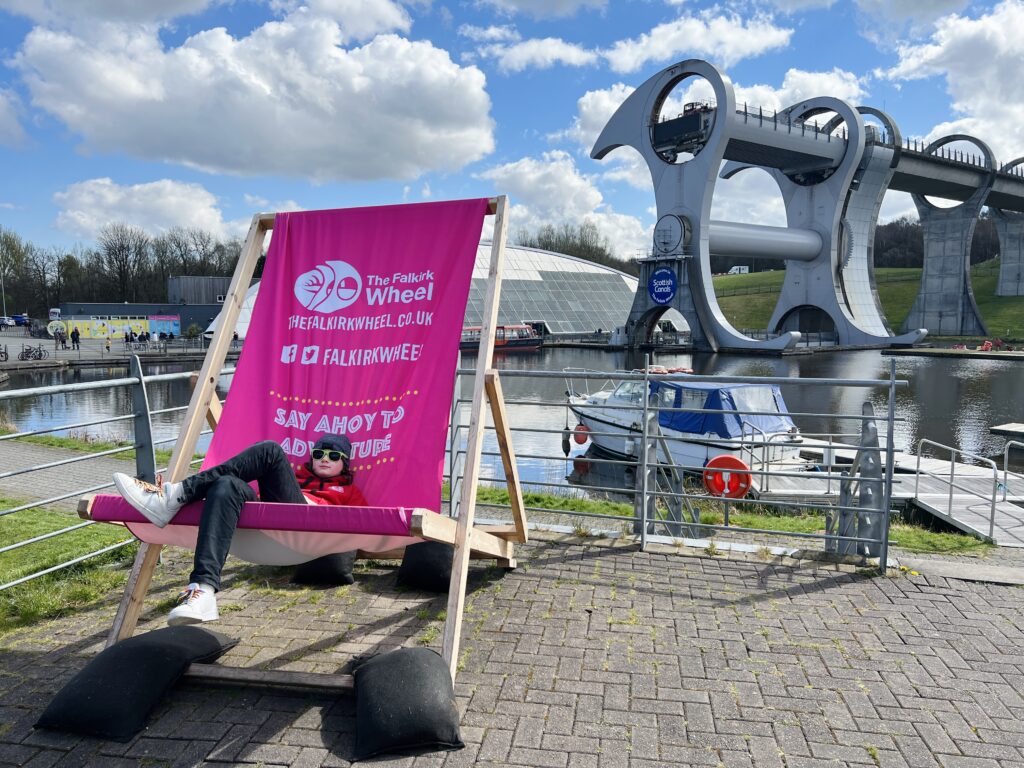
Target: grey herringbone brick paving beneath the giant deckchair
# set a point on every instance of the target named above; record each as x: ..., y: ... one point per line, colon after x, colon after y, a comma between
x: 590, y: 655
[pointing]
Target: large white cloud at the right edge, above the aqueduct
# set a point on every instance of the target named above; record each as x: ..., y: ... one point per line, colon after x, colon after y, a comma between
x: 979, y: 59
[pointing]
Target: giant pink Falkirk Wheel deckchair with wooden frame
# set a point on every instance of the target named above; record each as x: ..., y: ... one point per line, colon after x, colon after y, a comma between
x: 356, y: 330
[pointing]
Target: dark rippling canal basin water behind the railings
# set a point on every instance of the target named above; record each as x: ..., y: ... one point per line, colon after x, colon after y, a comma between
x: 951, y: 402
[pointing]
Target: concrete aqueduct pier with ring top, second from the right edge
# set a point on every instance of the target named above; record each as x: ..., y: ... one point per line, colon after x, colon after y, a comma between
x: 946, y: 304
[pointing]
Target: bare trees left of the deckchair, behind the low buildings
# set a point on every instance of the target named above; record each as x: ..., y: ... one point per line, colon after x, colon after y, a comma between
x: 125, y: 265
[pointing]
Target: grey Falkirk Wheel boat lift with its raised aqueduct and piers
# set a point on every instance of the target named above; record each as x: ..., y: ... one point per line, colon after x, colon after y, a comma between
x: 833, y: 180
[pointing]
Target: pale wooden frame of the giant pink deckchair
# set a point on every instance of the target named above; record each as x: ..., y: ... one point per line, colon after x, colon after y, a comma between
x: 467, y: 539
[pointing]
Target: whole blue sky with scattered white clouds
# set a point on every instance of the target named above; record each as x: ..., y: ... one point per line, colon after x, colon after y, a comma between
x: 200, y: 113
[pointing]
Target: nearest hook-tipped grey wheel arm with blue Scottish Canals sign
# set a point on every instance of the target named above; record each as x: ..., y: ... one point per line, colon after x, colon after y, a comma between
x: 685, y: 192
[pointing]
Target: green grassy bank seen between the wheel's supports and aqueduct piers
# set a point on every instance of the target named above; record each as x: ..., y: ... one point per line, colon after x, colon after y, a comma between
x: 748, y: 301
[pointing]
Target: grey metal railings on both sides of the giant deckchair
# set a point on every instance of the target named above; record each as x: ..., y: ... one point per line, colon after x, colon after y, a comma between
x: 662, y: 503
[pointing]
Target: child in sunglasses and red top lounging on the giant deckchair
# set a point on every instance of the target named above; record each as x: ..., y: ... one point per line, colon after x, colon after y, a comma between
x: 326, y: 480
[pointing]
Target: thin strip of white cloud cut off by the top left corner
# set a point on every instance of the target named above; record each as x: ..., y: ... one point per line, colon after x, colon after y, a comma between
x: 69, y: 12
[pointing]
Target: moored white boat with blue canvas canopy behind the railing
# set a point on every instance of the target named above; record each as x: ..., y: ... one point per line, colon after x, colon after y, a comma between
x: 700, y: 420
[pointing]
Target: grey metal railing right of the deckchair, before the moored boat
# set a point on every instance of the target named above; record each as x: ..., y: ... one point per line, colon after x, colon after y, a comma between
x: 646, y: 450
